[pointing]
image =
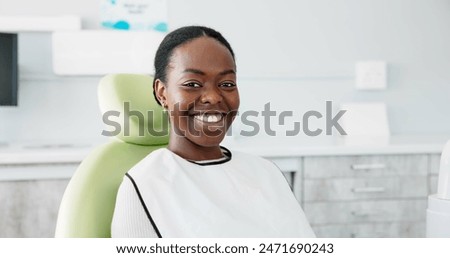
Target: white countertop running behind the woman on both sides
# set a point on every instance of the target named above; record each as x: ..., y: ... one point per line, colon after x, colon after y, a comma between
x: 16, y: 154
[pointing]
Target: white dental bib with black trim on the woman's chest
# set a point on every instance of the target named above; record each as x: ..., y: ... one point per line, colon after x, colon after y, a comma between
x: 242, y: 196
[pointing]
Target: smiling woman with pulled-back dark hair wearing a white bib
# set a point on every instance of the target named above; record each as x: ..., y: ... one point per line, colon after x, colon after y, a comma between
x: 195, y: 187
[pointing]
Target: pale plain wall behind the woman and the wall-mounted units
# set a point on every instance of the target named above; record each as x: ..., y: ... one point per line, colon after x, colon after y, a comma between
x: 296, y: 54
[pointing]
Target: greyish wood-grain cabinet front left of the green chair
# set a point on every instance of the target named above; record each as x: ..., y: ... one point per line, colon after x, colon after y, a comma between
x: 30, y: 208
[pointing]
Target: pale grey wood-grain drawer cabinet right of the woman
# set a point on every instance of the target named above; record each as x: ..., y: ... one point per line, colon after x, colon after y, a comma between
x: 364, y: 195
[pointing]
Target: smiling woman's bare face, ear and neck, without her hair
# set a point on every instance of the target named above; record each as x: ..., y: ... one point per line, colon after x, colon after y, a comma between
x: 201, y: 96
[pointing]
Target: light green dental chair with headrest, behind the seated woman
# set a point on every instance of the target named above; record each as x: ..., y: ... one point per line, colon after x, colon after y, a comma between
x: 87, y: 206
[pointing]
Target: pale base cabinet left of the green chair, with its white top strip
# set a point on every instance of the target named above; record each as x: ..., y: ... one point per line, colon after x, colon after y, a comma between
x: 30, y: 195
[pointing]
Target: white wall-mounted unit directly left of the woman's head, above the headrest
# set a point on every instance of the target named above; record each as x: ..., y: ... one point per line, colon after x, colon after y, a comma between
x: 99, y: 52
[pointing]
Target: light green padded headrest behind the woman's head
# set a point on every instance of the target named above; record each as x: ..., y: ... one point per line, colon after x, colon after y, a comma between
x: 130, y: 111
